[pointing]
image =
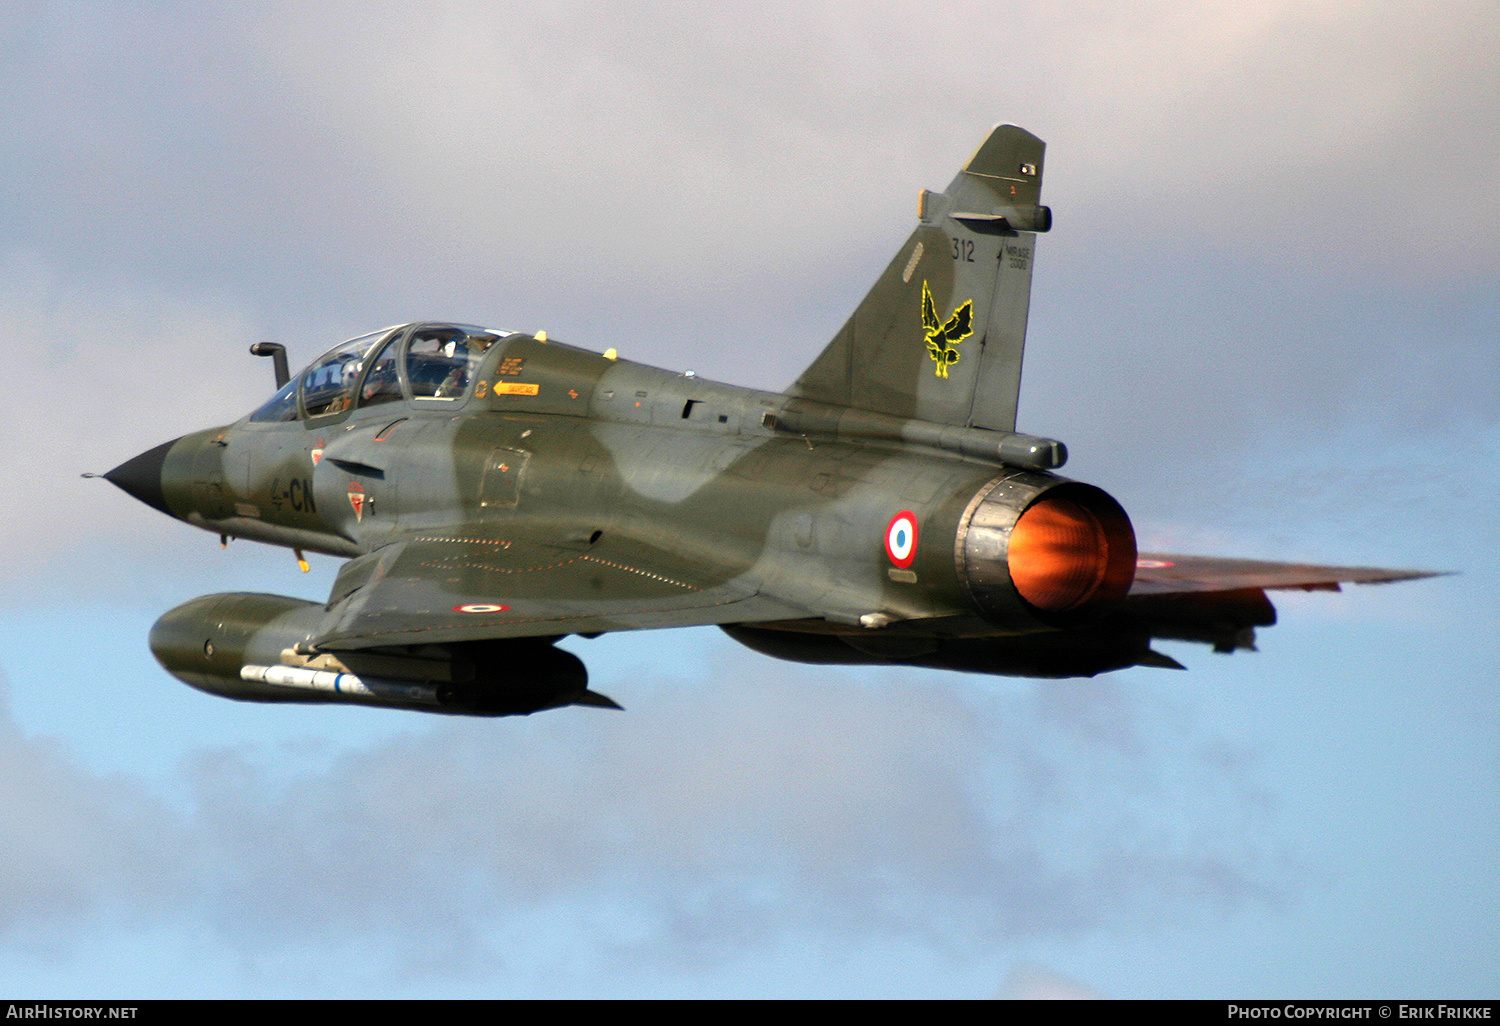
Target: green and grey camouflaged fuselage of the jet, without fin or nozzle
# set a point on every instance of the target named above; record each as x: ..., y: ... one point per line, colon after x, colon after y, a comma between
x: 644, y: 487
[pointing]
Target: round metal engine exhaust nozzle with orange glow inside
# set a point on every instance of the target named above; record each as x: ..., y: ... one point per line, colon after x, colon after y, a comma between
x: 1033, y: 547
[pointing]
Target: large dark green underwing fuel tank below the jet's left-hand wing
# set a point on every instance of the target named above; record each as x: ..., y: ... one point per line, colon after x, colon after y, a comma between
x: 253, y: 647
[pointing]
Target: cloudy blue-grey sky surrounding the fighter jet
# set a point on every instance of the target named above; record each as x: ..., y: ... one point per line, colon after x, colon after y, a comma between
x: 1267, y: 320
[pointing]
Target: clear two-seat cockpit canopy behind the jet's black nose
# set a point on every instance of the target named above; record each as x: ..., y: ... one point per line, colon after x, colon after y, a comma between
x: 424, y: 362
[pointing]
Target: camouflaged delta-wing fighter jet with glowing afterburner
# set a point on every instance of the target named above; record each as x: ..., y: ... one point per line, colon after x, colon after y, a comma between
x: 499, y: 491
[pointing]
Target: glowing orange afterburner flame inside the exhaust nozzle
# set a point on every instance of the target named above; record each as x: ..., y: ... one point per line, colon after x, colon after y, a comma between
x: 1060, y: 556
